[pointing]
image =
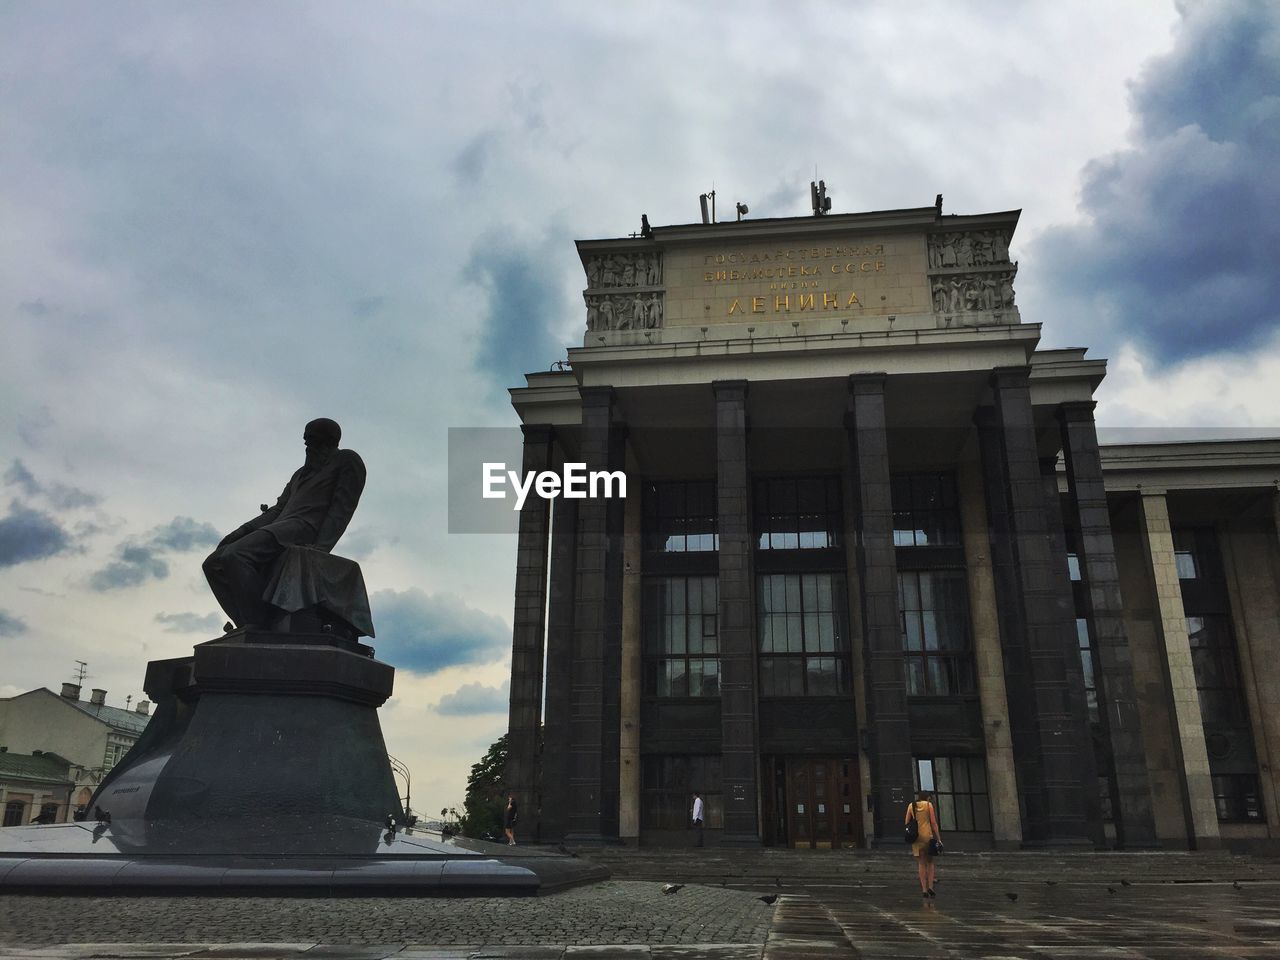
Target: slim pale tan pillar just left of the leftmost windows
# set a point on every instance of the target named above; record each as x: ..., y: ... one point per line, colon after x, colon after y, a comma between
x: 629, y: 780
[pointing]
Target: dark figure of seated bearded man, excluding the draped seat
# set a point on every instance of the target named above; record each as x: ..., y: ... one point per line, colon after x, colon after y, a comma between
x: 313, y: 511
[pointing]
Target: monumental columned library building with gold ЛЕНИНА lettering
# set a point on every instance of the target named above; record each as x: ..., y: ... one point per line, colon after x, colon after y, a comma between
x: 871, y: 543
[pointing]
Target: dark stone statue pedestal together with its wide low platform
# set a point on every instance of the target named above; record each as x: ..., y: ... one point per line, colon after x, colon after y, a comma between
x: 264, y: 771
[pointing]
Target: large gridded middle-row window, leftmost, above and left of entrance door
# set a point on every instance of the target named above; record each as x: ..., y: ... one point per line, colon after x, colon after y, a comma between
x: 682, y: 637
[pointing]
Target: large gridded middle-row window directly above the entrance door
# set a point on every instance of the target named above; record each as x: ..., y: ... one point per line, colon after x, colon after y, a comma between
x: 804, y: 643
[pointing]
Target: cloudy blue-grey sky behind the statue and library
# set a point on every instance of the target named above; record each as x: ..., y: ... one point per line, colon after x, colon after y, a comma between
x: 225, y: 220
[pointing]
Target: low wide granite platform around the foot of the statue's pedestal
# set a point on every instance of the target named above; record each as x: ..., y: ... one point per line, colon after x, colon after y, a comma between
x: 290, y: 856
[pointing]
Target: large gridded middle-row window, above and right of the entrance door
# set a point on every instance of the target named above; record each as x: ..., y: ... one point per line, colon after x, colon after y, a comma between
x: 935, y: 629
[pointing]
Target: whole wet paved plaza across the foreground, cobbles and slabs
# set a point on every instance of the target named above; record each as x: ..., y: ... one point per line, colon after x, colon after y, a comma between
x: 830, y: 906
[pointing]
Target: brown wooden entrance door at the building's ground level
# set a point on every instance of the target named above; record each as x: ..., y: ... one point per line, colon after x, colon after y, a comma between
x: 821, y: 802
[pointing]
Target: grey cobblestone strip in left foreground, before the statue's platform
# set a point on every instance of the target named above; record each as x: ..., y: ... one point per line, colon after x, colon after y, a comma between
x: 612, y: 913
